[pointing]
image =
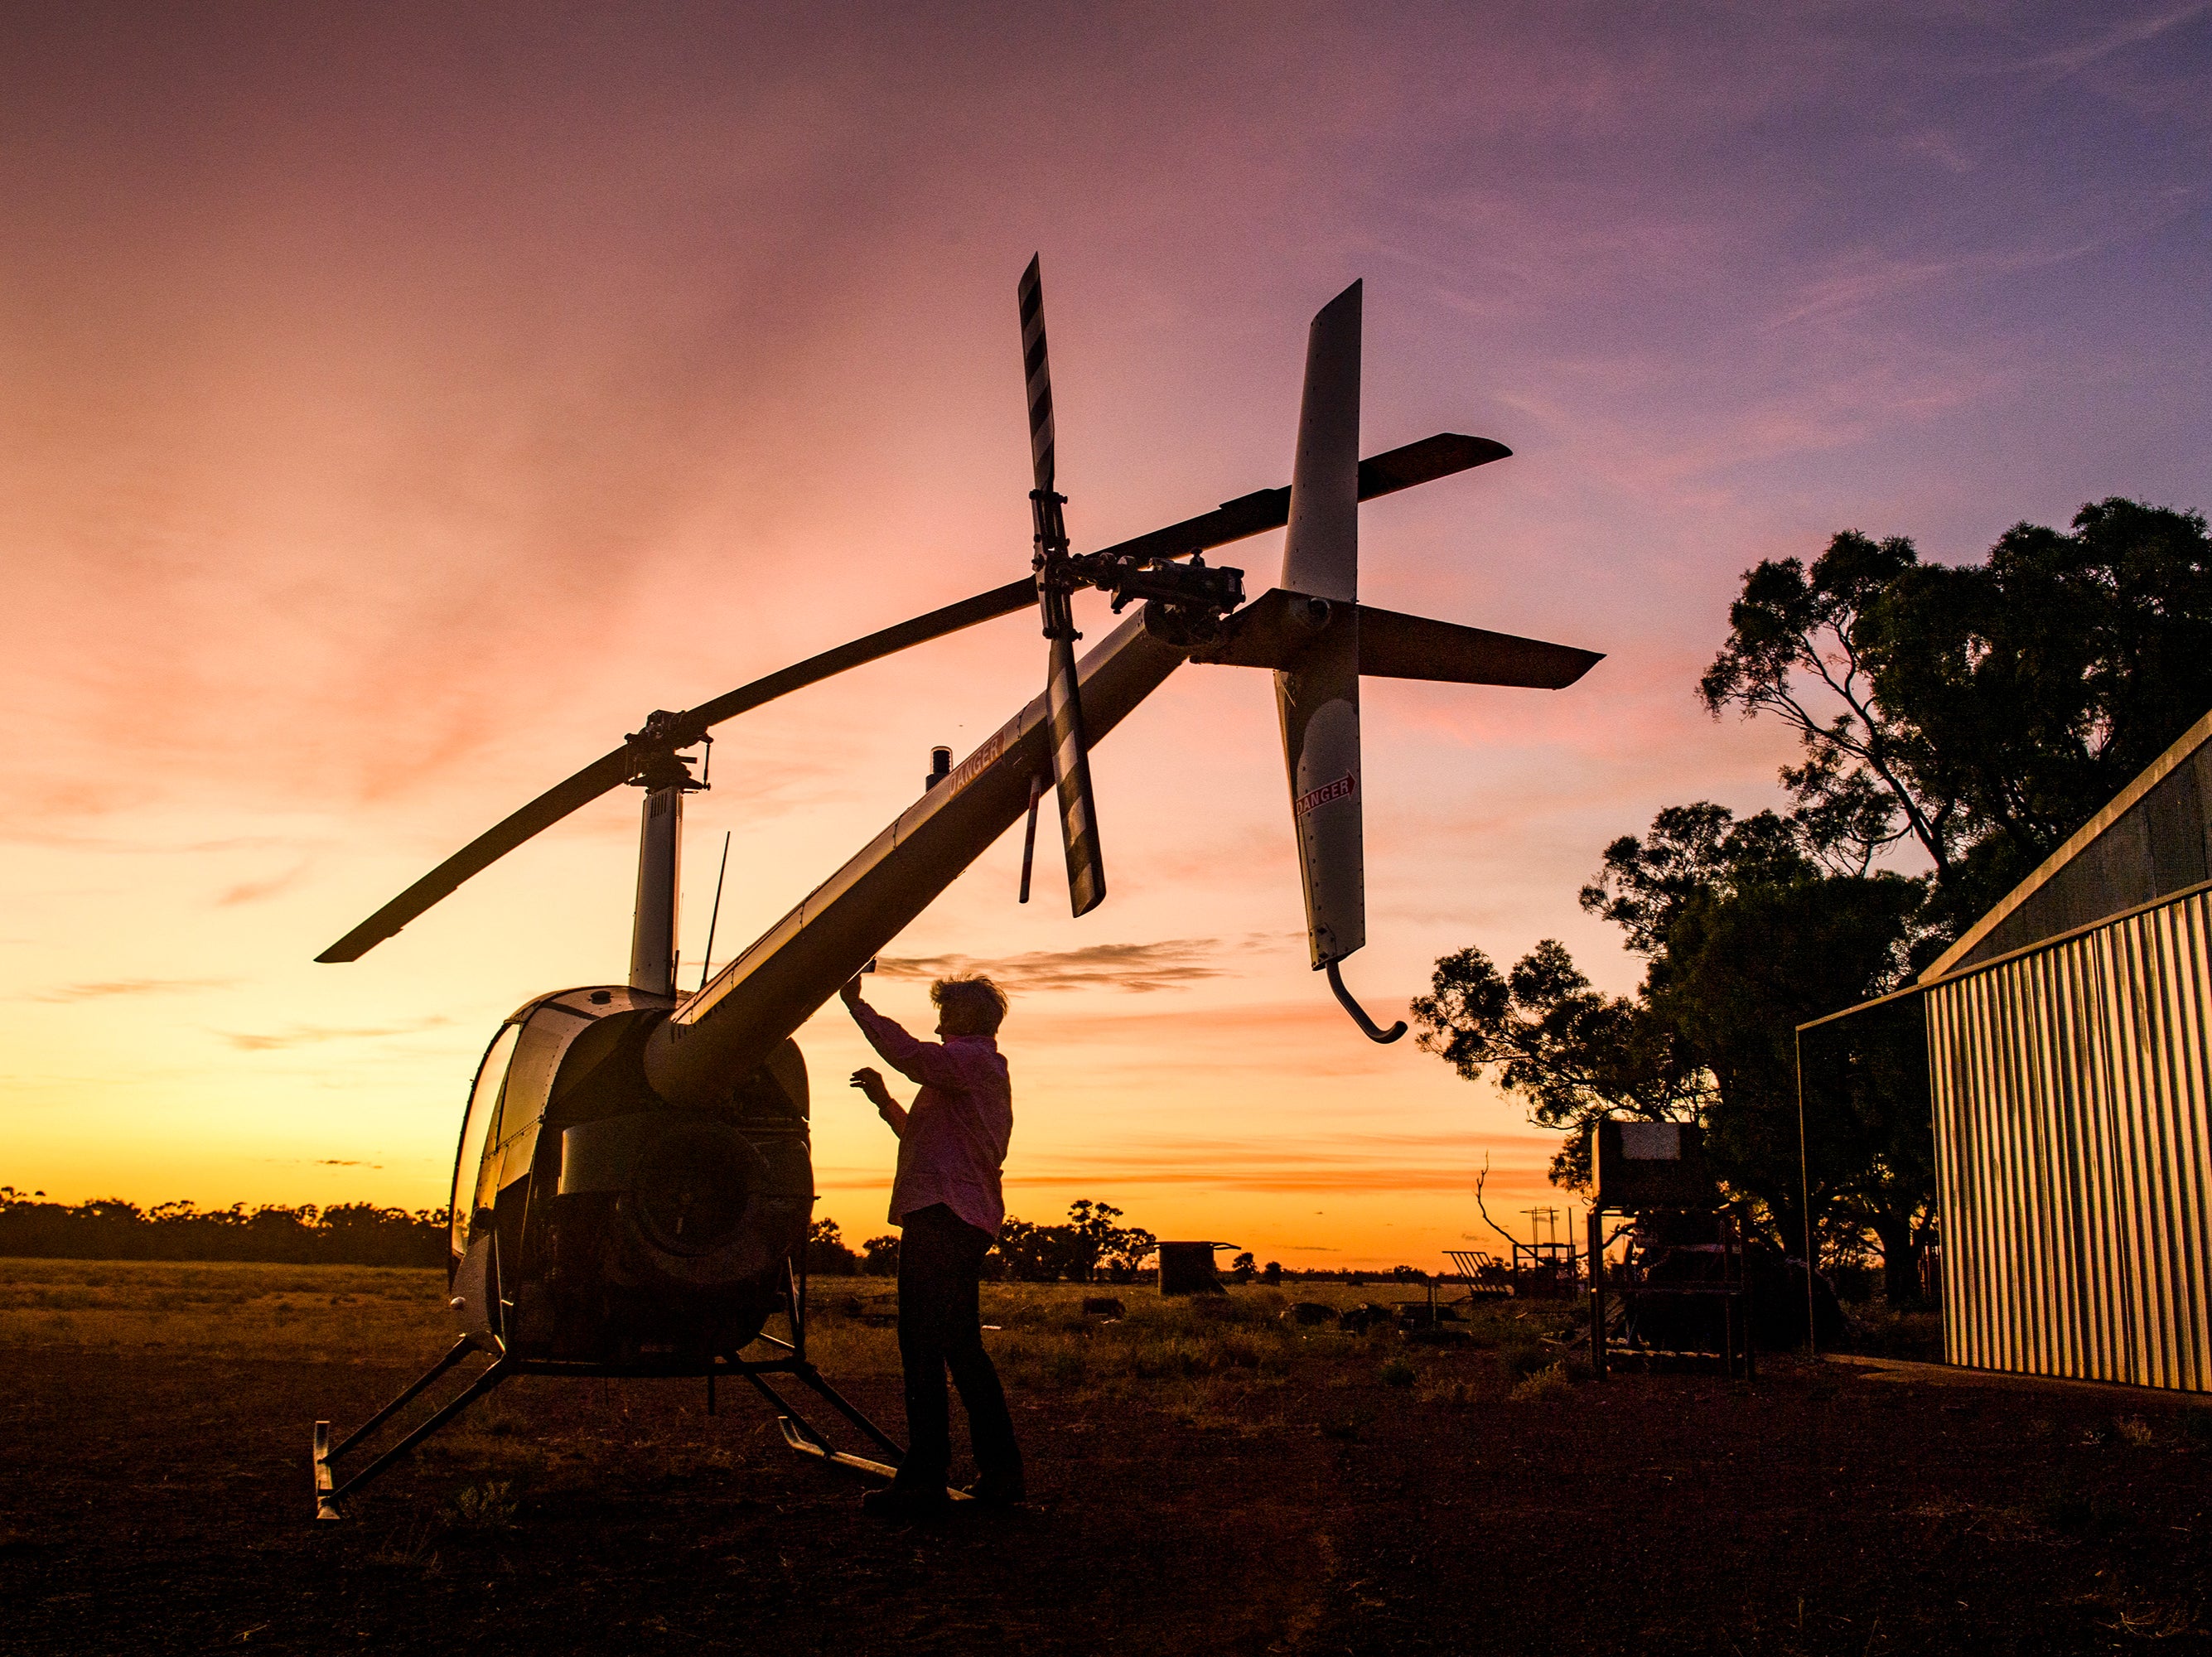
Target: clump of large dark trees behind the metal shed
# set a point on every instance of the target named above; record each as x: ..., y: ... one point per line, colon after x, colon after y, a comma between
x: 1965, y: 716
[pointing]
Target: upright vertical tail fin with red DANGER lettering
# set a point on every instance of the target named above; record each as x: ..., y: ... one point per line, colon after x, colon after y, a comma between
x: 1319, y: 696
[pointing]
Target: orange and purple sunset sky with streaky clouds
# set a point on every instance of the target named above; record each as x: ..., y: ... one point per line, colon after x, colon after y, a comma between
x: 399, y: 404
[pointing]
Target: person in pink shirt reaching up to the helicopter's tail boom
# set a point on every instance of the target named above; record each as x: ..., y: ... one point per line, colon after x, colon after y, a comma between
x: 948, y: 1205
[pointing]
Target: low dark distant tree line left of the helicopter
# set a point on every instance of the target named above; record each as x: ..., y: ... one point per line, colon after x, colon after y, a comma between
x: 116, y: 1231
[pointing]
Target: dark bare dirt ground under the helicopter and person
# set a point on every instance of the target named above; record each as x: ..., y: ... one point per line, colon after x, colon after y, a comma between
x: 1207, y: 1481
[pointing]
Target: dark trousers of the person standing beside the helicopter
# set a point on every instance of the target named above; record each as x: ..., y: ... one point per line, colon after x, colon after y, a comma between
x: 941, y: 1328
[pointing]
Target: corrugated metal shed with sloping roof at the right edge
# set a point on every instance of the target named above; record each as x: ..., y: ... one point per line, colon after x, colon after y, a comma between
x: 2069, y: 1083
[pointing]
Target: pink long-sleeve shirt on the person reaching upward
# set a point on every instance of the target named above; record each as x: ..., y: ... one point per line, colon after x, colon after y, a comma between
x: 959, y: 1125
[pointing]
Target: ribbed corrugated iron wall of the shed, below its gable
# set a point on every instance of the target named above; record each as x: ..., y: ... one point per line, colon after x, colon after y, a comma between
x: 2074, y: 1154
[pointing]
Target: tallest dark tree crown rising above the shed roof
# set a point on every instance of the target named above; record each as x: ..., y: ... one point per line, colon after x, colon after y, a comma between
x: 1985, y: 711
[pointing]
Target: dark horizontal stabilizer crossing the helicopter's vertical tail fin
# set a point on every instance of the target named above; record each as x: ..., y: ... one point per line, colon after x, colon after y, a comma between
x: 1275, y: 629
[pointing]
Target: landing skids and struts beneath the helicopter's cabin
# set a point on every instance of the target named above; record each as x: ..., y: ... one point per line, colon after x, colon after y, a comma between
x: 797, y: 1430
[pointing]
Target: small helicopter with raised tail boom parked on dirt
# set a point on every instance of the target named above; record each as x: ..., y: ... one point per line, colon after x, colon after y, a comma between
x: 634, y: 1176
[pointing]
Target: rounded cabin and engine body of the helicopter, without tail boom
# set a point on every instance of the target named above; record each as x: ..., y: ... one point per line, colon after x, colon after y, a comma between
x: 609, y: 1227
